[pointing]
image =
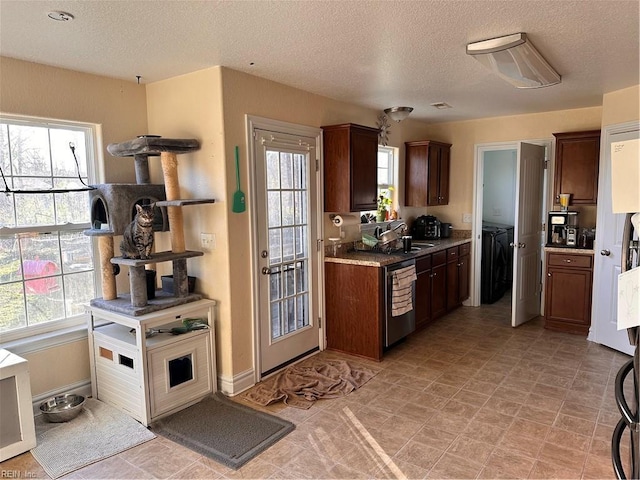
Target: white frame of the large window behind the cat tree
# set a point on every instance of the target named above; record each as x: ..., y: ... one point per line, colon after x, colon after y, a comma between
x: 95, y: 174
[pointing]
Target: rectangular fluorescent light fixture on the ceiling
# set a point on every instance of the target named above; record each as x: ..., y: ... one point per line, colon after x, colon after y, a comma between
x: 514, y: 59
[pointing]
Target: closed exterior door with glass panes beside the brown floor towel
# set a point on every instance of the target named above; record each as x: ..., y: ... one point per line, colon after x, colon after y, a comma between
x: 286, y: 241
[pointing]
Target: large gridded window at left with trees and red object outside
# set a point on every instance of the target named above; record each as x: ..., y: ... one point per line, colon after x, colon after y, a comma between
x: 46, y: 262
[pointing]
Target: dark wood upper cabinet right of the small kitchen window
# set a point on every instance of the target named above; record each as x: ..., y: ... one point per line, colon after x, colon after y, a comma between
x: 427, y: 173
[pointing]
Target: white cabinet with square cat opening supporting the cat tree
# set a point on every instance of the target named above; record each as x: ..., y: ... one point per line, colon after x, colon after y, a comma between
x: 149, y: 377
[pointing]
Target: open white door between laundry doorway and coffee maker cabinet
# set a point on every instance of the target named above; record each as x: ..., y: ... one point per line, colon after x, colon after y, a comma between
x: 527, y: 264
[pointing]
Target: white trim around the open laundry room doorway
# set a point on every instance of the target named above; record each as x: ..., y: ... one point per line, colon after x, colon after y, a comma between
x: 476, y: 227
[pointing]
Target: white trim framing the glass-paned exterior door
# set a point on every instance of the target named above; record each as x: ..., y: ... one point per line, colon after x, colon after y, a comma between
x: 253, y: 123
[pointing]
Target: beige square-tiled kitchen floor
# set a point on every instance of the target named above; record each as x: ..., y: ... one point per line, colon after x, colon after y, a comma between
x: 468, y: 397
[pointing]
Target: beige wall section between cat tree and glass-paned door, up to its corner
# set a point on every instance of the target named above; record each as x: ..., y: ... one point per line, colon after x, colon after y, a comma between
x: 190, y: 106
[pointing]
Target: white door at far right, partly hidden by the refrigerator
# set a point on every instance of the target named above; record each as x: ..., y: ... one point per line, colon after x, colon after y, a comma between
x: 608, y: 254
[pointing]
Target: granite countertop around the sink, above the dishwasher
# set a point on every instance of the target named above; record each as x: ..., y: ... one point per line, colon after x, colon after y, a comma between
x: 377, y: 259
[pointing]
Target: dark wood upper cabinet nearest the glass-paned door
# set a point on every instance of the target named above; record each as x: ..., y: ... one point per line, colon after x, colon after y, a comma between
x: 350, y: 168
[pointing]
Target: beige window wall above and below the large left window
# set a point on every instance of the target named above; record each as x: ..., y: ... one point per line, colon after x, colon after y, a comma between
x: 119, y: 108
